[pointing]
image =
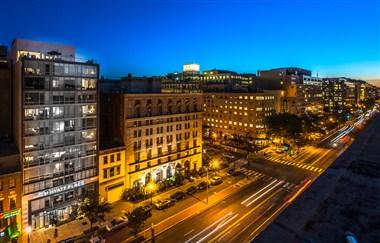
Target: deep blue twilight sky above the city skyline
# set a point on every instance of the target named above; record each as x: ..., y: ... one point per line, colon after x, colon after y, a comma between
x: 157, y: 37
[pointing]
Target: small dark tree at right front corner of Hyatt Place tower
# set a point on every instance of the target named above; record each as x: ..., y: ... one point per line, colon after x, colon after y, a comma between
x: 92, y: 209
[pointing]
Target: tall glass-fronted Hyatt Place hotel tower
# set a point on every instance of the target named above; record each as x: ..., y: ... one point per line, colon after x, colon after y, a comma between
x: 56, y: 133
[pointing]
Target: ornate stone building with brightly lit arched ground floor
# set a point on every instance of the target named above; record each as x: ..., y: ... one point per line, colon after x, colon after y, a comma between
x: 162, y: 133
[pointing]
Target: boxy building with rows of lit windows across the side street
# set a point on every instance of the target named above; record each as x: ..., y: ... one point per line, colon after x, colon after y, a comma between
x: 240, y: 114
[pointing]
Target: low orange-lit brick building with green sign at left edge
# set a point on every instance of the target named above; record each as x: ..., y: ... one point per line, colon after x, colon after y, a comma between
x: 10, y: 192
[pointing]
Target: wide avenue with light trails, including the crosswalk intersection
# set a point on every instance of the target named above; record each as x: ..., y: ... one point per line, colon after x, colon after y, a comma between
x: 242, y: 216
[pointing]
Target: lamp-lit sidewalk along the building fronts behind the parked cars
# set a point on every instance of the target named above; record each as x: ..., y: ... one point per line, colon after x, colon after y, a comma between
x: 76, y: 227
